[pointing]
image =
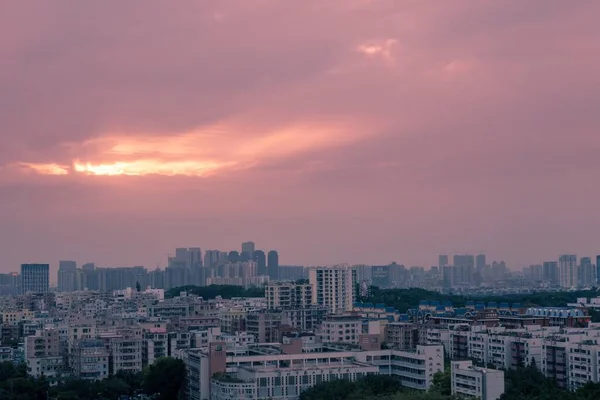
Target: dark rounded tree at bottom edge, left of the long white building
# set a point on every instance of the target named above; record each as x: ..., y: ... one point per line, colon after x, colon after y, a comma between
x: 164, y: 378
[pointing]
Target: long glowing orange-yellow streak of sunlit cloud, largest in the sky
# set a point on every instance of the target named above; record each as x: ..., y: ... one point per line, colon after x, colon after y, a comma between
x: 200, y: 152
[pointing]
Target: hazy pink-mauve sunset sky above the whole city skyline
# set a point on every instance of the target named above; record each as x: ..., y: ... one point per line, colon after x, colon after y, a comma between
x: 360, y: 131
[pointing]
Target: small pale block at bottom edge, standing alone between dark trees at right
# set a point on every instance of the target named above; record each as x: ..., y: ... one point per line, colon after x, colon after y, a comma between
x: 470, y: 381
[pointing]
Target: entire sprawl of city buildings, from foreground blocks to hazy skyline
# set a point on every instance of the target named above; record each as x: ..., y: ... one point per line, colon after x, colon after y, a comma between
x: 302, y: 332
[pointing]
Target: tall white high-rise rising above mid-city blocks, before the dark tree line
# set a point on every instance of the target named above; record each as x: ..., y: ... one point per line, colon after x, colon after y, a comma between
x: 334, y: 287
